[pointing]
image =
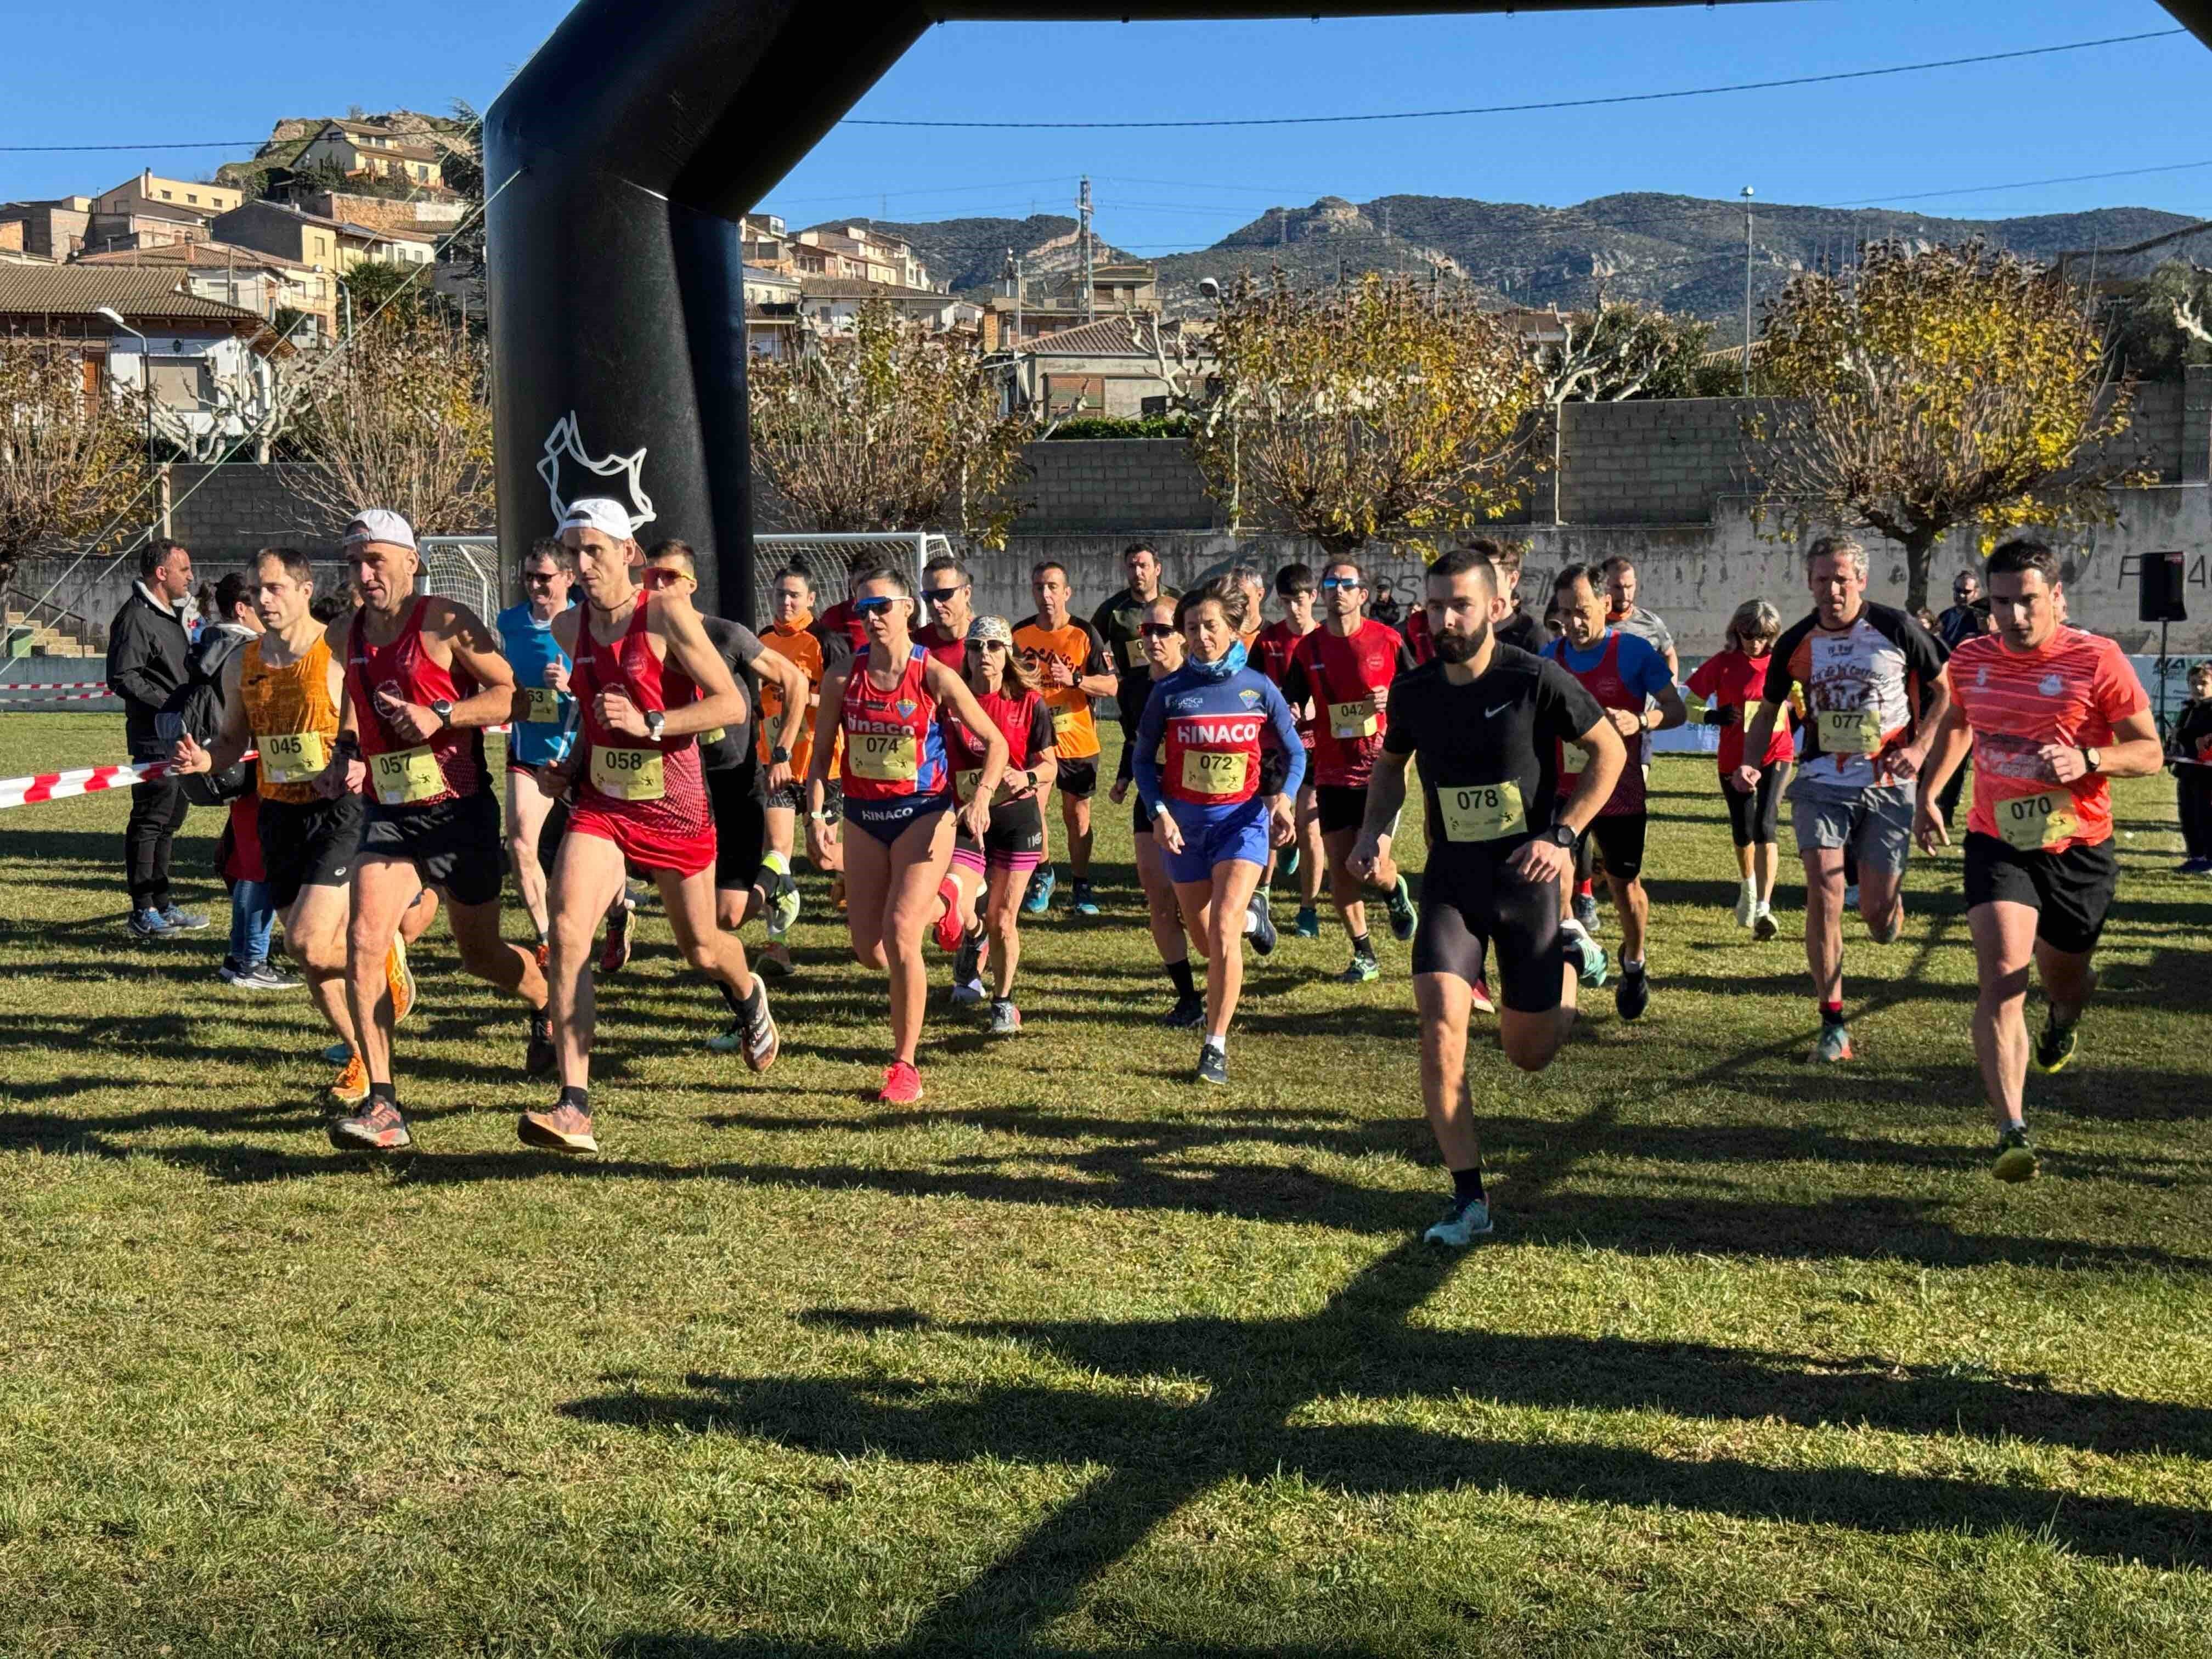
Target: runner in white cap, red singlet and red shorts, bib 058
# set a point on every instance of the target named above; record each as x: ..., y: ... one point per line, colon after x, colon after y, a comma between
x: 647, y: 682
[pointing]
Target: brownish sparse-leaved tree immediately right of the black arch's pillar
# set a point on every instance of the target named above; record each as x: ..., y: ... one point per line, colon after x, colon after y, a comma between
x: 888, y: 428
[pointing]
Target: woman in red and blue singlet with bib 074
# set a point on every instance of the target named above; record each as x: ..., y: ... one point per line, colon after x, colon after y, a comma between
x: 899, y: 795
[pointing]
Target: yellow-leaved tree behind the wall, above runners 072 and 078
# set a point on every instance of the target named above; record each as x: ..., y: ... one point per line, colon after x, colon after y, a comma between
x: 1373, y: 413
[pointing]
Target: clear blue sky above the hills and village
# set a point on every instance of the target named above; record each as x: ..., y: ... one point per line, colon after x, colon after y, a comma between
x: 225, y: 72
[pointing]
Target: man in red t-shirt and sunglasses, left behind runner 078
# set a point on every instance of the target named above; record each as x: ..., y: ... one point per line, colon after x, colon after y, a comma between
x: 1346, y: 669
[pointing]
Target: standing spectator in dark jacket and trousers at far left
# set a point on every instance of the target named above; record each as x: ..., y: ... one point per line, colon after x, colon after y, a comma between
x: 147, y: 662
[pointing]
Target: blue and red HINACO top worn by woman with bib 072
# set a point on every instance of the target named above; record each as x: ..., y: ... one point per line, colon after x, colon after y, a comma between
x: 1198, y: 742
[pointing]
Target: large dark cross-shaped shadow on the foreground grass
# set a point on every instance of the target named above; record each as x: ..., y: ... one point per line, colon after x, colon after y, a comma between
x: 1264, y: 1377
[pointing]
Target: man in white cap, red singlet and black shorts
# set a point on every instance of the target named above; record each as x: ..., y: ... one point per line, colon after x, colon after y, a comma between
x: 424, y: 678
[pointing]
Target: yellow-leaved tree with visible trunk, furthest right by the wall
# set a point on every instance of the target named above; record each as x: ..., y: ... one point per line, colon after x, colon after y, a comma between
x: 1937, y: 388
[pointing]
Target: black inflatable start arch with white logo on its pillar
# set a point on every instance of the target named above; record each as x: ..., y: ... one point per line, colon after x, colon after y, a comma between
x: 623, y: 158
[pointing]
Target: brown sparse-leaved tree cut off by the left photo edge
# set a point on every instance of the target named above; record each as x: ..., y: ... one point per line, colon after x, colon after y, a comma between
x: 70, y: 457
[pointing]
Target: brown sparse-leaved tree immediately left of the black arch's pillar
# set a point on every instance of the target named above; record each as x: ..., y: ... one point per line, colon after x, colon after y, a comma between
x: 399, y: 419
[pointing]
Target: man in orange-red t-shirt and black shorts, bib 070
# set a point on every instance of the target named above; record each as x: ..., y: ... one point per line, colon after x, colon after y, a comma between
x: 2052, y: 716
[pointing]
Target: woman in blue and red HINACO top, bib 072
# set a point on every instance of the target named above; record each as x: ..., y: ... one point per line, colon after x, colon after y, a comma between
x: 1198, y: 775
